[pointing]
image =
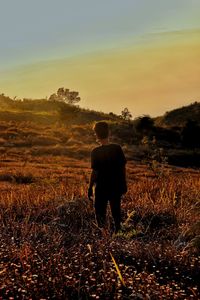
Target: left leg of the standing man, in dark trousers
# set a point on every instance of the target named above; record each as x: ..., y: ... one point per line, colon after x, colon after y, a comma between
x: 100, y: 209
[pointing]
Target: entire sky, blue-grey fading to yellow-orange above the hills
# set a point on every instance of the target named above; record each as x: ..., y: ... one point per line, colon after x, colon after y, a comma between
x: 132, y: 53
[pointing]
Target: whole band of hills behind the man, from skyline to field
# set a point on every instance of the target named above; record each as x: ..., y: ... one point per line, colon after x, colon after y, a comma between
x: 46, y: 127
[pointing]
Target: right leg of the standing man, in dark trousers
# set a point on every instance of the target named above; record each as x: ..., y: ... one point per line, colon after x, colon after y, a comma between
x: 115, y: 205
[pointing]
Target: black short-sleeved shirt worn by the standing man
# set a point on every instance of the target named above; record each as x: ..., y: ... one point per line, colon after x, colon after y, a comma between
x: 109, y: 163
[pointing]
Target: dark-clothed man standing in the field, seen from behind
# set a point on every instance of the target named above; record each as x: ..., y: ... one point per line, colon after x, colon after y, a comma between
x: 108, y: 175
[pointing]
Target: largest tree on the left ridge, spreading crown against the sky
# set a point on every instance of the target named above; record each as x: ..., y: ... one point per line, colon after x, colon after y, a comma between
x: 65, y: 95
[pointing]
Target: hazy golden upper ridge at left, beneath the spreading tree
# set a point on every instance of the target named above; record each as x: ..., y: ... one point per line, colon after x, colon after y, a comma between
x: 43, y: 111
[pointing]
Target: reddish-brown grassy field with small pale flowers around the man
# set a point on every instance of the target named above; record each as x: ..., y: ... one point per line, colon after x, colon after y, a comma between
x: 51, y: 248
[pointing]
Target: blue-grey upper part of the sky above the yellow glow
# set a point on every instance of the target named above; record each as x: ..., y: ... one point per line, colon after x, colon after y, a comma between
x: 39, y: 30
